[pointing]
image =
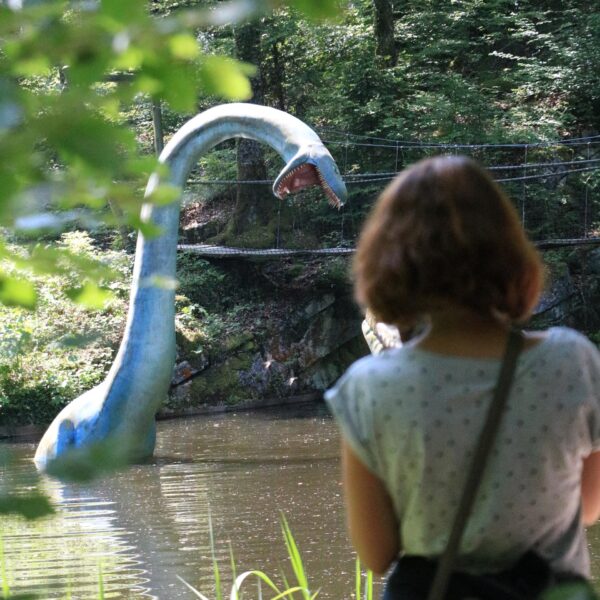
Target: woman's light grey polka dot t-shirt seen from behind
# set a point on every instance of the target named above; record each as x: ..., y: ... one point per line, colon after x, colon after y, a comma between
x: 413, y: 418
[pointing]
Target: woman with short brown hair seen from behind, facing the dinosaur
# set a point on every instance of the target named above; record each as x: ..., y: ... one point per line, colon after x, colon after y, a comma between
x: 444, y: 245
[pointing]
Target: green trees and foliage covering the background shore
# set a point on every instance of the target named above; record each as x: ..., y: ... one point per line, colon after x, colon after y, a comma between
x: 449, y: 73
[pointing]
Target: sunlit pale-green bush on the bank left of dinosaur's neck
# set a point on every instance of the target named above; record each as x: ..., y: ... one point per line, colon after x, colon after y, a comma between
x: 50, y: 356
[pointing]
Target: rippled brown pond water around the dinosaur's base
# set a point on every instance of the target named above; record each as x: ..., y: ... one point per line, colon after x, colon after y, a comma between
x: 145, y: 527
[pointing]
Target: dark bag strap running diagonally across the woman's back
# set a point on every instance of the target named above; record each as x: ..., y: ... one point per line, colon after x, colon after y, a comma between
x: 482, y: 452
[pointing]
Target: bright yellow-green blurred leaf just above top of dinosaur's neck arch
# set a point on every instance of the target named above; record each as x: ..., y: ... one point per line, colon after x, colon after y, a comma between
x: 226, y: 77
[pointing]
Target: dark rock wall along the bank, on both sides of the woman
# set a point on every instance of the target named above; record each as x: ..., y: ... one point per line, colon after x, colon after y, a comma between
x: 315, y: 334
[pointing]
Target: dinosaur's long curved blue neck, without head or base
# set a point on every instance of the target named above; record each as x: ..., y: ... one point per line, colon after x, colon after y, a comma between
x: 146, y: 356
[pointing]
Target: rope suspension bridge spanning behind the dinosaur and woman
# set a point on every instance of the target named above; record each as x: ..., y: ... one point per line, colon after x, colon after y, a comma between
x: 555, y: 185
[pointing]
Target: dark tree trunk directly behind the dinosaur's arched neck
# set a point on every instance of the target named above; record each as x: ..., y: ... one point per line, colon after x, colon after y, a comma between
x: 254, y: 202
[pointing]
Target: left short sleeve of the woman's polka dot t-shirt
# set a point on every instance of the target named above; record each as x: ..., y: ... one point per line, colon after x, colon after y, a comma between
x: 351, y: 406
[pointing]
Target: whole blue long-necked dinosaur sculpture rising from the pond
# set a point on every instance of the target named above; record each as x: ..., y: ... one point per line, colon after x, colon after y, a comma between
x: 123, y: 406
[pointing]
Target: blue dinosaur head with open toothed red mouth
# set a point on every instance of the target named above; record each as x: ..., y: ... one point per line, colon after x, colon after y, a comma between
x: 312, y: 166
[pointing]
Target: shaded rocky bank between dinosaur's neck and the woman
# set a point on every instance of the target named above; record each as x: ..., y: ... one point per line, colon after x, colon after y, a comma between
x: 306, y: 350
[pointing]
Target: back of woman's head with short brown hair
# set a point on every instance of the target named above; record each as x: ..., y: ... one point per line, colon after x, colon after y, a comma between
x: 444, y: 232
